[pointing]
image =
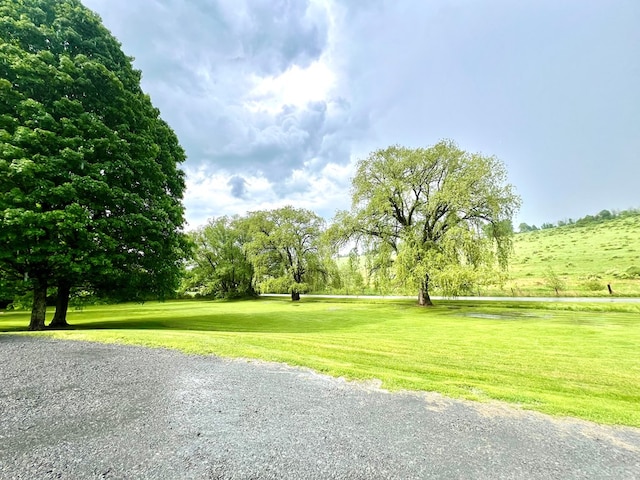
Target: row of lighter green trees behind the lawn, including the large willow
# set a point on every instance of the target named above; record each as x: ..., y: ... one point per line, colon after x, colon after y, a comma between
x: 420, y: 218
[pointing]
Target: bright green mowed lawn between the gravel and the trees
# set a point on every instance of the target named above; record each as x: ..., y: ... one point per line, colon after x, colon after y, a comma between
x: 578, y: 360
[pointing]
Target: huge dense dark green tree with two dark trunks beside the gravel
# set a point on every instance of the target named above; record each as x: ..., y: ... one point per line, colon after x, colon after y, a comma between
x: 90, y: 189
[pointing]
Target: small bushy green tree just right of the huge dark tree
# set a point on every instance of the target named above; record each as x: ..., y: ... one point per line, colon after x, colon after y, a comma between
x: 220, y: 266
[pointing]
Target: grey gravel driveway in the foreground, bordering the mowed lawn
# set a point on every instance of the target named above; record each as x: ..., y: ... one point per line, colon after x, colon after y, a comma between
x: 78, y: 410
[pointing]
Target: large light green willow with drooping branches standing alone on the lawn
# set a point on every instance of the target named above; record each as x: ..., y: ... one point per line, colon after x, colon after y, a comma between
x: 439, y: 215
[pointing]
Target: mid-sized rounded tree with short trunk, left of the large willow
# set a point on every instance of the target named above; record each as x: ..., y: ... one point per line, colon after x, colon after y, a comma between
x: 286, y: 248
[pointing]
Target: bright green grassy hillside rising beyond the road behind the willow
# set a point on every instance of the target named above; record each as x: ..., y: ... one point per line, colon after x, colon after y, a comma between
x: 579, y: 259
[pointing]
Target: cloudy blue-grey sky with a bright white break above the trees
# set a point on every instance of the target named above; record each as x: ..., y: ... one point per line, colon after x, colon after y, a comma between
x: 274, y: 101
